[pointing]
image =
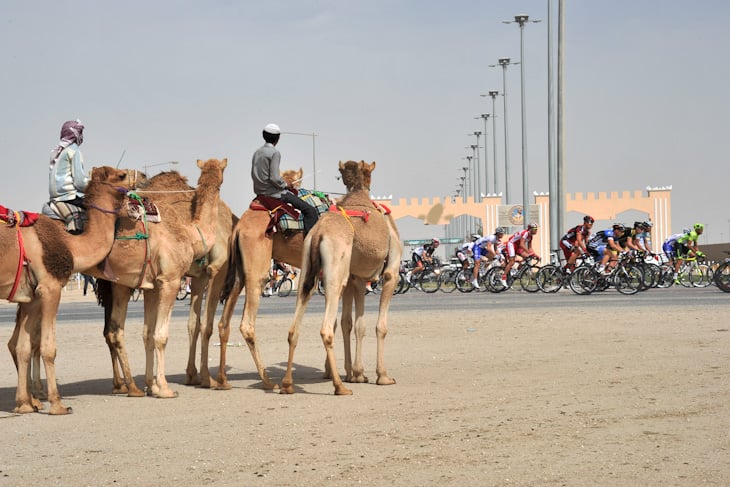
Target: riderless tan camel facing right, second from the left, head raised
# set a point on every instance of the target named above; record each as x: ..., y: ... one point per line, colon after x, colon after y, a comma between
x: 154, y: 258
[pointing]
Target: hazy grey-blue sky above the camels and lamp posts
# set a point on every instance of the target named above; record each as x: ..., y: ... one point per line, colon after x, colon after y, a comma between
x: 397, y: 82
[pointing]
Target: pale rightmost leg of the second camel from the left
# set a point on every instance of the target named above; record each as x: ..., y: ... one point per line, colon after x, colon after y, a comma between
x: 156, y: 336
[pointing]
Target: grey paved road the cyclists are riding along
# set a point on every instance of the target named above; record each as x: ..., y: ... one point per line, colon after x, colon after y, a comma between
x: 415, y: 300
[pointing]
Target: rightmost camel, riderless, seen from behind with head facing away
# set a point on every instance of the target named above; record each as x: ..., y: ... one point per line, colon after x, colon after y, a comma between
x: 349, y: 247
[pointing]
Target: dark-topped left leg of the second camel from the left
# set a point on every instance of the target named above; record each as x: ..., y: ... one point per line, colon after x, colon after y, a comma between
x: 115, y: 316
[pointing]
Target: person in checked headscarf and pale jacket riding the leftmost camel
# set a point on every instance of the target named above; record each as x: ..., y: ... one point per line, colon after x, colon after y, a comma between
x: 68, y: 178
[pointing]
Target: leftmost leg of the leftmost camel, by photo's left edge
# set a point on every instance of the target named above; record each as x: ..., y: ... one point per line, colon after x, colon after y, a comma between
x: 20, y: 349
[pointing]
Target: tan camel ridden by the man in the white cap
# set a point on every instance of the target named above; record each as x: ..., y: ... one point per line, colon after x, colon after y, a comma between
x: 249, y: 262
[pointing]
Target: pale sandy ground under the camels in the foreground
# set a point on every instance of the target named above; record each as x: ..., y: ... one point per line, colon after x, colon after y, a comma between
x: 596, y: 396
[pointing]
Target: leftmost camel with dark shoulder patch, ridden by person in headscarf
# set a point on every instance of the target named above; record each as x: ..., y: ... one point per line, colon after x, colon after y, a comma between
x: 50, y: 256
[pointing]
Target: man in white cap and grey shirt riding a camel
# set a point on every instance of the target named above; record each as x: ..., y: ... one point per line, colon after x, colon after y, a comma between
x: 267, y: 178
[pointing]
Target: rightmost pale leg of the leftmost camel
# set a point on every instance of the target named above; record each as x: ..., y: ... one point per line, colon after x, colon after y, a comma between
x: 50, y: 298
